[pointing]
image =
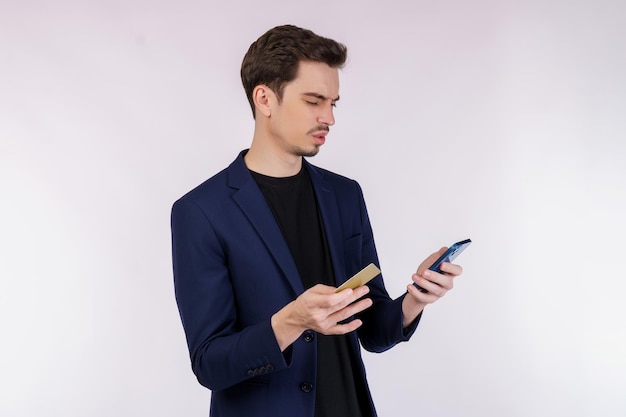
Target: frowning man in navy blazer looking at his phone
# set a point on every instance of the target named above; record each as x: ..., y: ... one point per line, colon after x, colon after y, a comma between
x: 259, y: 248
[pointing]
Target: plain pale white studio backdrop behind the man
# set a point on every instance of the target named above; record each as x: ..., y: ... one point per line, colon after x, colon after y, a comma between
x: 501, y: 121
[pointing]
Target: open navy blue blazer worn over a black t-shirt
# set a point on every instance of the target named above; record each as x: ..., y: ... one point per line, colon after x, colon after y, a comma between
x: 233, y: 271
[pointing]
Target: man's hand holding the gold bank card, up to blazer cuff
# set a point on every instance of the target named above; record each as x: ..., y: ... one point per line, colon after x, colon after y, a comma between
x: 320, y: 309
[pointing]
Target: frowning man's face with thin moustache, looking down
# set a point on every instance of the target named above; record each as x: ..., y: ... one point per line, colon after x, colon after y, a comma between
x: 300, y: 122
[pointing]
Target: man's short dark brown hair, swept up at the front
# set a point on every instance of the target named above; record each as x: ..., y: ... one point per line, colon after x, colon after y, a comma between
x: 273, y: 59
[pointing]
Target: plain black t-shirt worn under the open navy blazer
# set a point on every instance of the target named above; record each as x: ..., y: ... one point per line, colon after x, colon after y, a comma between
x: 340, y: 388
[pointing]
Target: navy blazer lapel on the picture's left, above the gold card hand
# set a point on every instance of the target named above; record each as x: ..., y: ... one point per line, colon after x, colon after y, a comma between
x: 252, y: 202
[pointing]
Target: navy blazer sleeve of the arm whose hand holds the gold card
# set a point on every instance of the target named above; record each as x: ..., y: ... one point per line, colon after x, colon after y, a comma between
x: 222, y: 354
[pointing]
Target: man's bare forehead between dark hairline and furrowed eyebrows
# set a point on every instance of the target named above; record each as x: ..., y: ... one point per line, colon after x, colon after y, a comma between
x: 315, y: 77
